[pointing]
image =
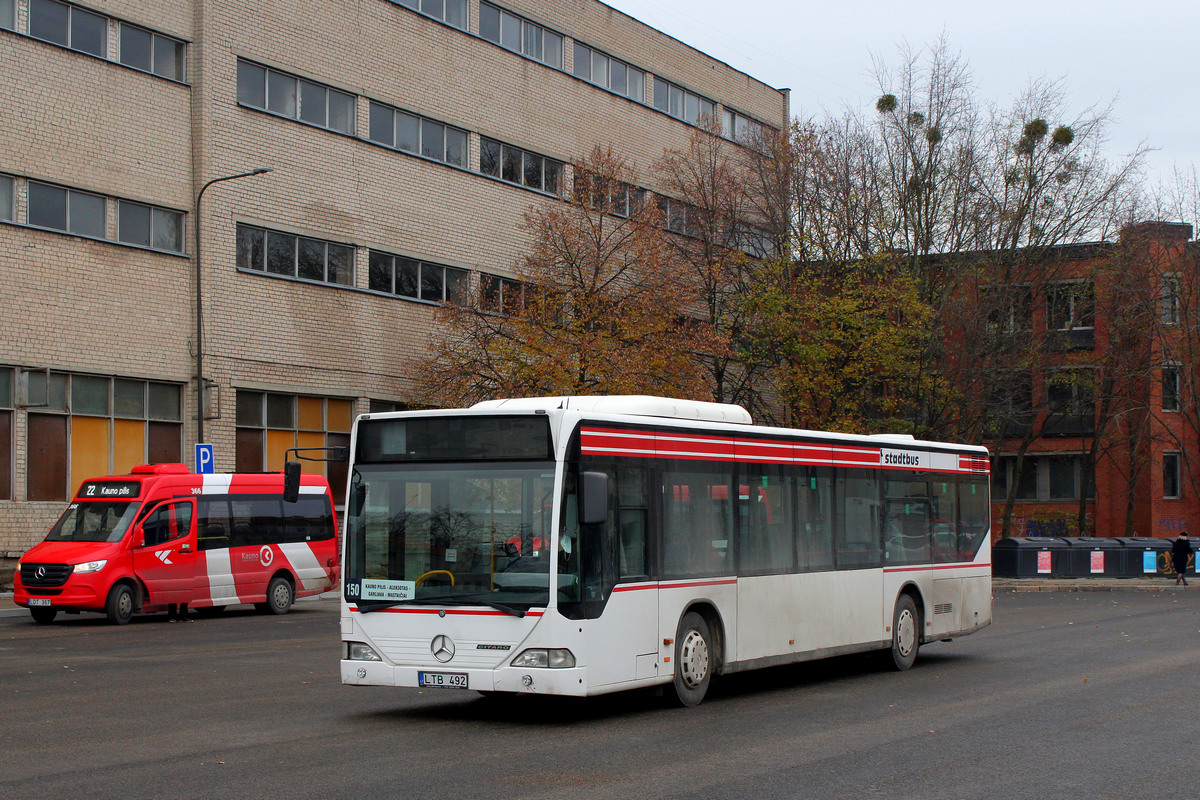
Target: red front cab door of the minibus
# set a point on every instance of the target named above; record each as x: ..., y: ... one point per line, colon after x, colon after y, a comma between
x: 165, y: 552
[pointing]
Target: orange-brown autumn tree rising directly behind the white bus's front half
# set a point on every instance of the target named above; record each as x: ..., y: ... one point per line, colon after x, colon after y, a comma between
x: 602, y: 308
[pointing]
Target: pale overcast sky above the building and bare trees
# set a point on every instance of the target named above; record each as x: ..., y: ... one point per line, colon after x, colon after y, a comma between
x: 1143, y: 55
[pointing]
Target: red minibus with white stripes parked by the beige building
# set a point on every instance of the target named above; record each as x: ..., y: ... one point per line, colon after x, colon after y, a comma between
x: 163, y: 537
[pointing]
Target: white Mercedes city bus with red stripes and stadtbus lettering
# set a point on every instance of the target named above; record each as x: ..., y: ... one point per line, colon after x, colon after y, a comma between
x: 587, y: 545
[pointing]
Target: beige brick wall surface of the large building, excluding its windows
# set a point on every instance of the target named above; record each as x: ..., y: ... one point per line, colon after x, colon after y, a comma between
x: 100, y: 308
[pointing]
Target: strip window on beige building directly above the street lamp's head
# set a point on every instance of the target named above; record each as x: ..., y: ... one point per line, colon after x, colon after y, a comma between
x: 295, y: 98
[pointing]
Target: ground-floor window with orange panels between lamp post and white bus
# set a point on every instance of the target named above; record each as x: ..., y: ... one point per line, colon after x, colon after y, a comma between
x: 268, y: 425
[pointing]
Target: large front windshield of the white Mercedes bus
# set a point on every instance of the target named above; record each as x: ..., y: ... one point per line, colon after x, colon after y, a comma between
x: 451, y: 534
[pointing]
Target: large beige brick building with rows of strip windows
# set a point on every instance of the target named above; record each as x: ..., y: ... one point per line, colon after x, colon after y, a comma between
x: 404, y: 140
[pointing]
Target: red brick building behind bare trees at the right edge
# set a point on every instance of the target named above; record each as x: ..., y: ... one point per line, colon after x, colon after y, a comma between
x: 1091, y: 396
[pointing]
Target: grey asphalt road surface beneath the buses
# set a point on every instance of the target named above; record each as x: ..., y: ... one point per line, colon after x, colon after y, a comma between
x: 1081, y: 695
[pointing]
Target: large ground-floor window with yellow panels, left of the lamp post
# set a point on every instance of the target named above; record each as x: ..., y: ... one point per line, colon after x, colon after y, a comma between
x: 85, y: 426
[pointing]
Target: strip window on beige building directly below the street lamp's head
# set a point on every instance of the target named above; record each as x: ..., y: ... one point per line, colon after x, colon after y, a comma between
x: 297, y: 257
